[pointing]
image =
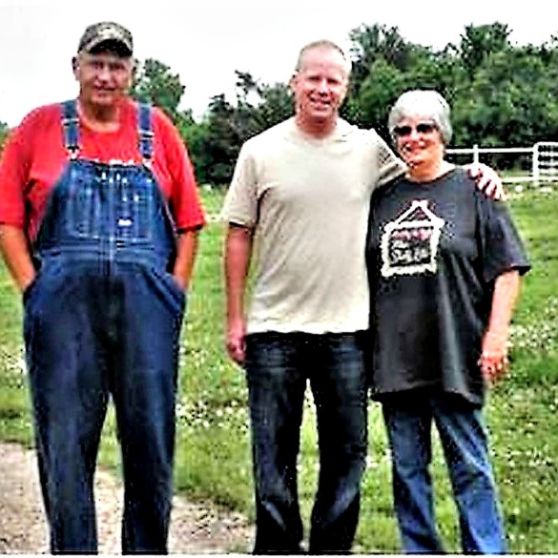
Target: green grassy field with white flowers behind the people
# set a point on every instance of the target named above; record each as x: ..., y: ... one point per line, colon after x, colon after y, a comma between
x: 213, y: 454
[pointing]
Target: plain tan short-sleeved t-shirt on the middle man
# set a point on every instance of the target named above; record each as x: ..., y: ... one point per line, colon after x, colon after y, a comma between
x: 308, y: 201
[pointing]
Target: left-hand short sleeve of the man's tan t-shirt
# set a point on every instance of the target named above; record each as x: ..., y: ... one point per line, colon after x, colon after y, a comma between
x: 241, y: 204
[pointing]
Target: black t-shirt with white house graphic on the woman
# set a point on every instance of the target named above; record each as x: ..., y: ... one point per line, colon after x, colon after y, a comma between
x: 434, y: 251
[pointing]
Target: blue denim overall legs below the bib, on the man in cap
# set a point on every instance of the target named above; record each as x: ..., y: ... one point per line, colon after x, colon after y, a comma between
x: 86, y: 339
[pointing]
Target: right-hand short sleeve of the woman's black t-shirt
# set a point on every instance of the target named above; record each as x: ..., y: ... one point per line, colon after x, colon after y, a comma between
x: 502, y: 246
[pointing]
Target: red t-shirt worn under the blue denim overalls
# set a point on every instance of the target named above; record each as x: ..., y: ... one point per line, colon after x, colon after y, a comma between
x: 34, y: 159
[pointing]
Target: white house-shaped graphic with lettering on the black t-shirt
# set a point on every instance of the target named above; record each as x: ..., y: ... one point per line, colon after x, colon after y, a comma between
x: 409, y: 245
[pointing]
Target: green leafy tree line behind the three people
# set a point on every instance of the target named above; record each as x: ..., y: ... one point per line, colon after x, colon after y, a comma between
x: 501, y: 94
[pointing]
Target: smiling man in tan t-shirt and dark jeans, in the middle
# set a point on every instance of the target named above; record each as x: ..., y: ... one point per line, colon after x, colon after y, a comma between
x: 299, y: 199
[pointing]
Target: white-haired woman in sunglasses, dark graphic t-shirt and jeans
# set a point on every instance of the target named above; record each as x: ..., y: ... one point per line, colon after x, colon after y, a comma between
x: 445, y: 264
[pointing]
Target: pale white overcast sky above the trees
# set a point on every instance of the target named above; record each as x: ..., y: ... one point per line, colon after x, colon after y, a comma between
x: 204, y: 41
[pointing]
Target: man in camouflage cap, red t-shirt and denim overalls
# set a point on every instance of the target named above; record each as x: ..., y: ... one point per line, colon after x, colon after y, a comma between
x: 98, y: 224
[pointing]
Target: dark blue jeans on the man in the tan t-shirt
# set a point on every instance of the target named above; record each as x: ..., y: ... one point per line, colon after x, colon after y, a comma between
x: 278, y: 367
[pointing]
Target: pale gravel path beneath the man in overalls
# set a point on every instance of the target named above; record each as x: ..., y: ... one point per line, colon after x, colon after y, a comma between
x: 195, y: 528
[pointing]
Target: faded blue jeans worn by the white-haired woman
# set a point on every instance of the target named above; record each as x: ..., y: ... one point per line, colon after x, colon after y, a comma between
x: 460, y: 425
